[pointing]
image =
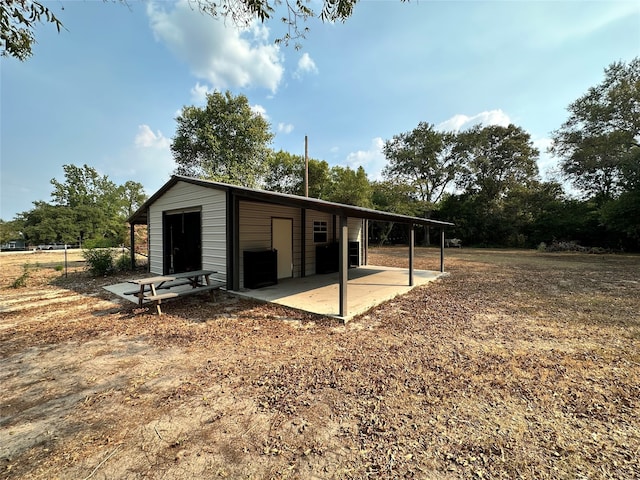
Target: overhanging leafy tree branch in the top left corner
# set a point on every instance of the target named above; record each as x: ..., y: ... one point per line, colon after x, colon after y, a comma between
x: 18, y: 19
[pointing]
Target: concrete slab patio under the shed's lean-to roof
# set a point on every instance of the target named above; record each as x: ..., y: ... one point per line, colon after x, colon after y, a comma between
x: 367, y: 287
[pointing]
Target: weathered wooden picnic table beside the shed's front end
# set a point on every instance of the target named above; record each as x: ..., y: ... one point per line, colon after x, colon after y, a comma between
x: 199, y: 280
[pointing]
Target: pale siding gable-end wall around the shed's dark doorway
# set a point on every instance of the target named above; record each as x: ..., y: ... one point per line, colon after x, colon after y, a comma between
x: 213, y: 217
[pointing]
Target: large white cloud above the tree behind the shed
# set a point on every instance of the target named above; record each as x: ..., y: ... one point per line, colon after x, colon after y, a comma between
x: 225, y: 56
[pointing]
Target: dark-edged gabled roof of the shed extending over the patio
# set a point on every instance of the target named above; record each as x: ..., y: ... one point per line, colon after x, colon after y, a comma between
x: 244, y: 193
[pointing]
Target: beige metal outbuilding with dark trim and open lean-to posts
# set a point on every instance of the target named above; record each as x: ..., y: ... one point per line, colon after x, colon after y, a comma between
x: 254, y: 238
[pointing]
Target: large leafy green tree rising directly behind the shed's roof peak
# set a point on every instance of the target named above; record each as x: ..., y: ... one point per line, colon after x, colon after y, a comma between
x: 224, y: 141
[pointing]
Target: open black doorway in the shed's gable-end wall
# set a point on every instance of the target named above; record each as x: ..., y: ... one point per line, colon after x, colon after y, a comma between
x: 182, y: 242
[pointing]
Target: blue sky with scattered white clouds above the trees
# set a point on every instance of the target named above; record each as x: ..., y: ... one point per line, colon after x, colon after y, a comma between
x: 106, y: 90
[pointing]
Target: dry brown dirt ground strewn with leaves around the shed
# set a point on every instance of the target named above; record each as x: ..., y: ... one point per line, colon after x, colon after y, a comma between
x: 517, y: 365
